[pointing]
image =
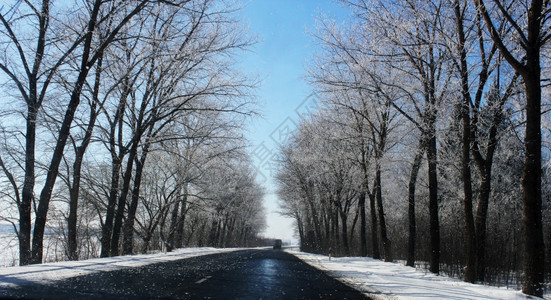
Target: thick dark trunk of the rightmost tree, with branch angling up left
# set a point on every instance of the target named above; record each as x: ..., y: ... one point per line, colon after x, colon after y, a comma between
x: 530, y: 71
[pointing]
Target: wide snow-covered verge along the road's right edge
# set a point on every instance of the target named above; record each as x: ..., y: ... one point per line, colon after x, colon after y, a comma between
x: 383, y: 280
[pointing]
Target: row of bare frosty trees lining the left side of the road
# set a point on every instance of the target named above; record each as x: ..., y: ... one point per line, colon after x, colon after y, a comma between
x: 122, y: 126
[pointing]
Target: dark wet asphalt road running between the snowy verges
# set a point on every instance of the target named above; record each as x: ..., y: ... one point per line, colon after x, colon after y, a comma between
x: 249, y: 274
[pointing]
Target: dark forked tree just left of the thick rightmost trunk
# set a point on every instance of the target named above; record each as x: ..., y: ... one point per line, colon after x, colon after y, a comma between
x: 487, y: 65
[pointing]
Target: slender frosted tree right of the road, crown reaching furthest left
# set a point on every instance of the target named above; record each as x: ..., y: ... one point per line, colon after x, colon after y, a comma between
x: 349, y: 79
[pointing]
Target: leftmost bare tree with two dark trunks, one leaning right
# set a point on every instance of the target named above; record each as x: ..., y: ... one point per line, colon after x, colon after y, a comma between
x: 39, y: 77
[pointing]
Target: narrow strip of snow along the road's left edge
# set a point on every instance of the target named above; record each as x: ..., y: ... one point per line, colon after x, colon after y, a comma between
x: 16, y: 276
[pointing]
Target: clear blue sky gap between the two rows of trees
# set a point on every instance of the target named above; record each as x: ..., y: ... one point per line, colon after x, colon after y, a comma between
x: 286, y: 45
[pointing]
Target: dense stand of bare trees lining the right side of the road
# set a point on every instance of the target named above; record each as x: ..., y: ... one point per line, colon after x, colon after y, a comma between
x: 431, y: 144
